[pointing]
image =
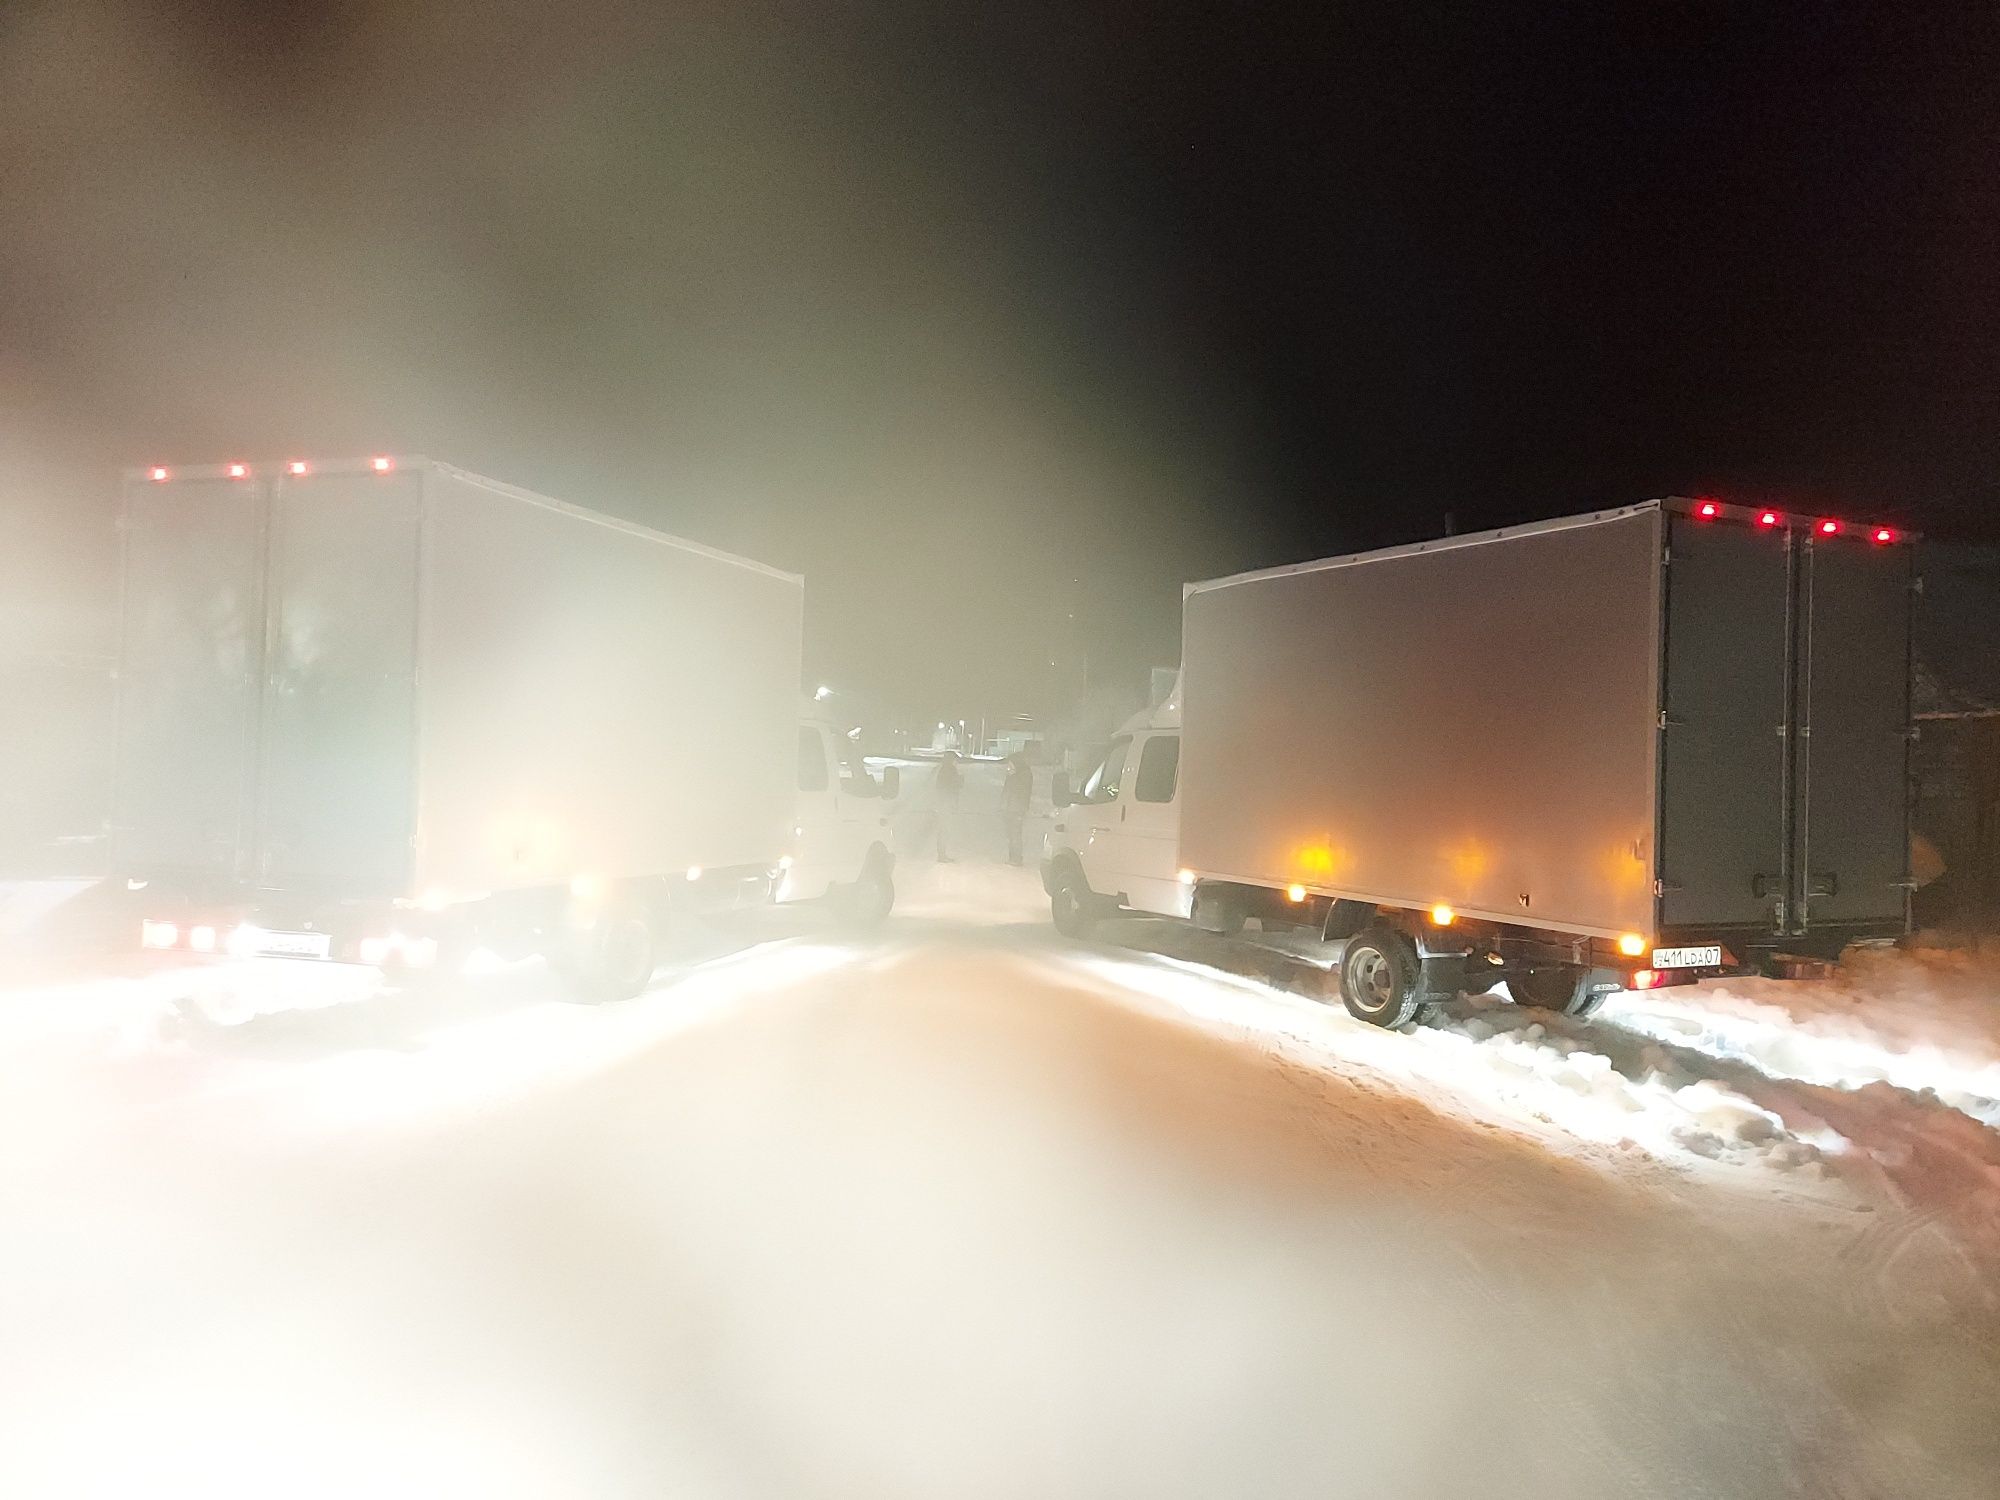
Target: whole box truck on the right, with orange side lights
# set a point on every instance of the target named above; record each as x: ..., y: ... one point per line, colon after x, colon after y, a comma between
x: 1613, y: 753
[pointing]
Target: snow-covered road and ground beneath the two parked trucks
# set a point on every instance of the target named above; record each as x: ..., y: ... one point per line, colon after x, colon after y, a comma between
x: 969, y: 1211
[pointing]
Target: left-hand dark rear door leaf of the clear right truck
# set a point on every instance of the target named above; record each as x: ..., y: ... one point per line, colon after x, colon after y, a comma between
x: 1723, y: 775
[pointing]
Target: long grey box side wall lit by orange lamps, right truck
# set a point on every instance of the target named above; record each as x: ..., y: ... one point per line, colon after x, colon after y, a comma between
x: 1471, y: 723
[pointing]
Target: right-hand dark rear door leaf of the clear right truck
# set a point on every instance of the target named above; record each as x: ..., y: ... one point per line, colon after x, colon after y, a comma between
x: 1855, y: 733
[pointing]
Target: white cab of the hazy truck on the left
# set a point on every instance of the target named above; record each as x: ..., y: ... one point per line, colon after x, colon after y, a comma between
x: 841, y: 839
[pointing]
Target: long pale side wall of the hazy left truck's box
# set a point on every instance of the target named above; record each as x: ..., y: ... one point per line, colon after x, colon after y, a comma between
x: 595, y: 699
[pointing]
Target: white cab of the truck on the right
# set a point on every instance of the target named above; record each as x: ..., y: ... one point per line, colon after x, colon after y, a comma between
x: 1115, y: 841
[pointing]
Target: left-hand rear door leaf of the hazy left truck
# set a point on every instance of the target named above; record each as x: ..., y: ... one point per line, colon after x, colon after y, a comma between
x: 189, y: 667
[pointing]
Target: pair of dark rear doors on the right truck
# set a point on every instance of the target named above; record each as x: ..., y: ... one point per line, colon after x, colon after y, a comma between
x: 1785, y: 731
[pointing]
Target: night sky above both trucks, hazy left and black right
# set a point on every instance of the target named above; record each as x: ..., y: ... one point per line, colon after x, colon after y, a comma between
x: 953, y: 305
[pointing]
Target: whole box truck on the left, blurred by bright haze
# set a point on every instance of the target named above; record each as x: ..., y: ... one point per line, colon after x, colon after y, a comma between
x: 389, y: 711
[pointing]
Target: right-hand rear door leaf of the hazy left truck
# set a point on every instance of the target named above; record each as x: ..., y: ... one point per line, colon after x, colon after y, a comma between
x: 337, y: 769
